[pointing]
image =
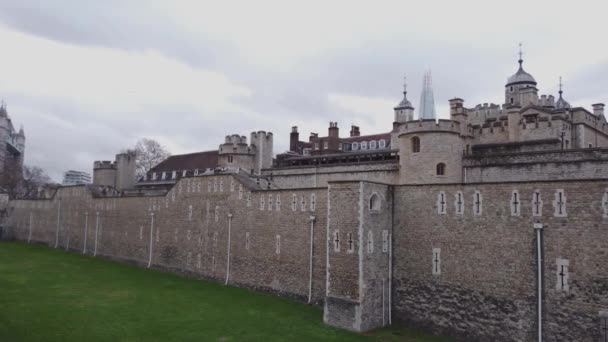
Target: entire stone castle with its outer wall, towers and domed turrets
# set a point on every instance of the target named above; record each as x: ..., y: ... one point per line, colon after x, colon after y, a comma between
x: 489, y: 226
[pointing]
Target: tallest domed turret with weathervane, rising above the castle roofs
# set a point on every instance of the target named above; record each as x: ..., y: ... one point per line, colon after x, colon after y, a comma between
x: 520, y: 89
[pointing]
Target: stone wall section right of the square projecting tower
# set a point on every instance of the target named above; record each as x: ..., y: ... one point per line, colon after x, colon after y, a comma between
x: 486, y: 287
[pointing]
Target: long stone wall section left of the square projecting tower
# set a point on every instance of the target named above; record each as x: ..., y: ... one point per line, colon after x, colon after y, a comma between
x: 187, y: 236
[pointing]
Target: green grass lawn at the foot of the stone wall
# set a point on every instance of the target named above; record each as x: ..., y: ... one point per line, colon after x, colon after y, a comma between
x: 51, y: 295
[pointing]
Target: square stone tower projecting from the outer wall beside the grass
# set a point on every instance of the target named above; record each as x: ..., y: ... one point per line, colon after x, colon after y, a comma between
x: 359, y: 229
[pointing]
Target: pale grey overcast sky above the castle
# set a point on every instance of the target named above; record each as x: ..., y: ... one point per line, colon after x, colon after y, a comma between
x: 89, y: 78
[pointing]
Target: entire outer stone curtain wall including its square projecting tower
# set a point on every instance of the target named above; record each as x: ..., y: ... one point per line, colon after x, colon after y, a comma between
x: 455, y: 259
